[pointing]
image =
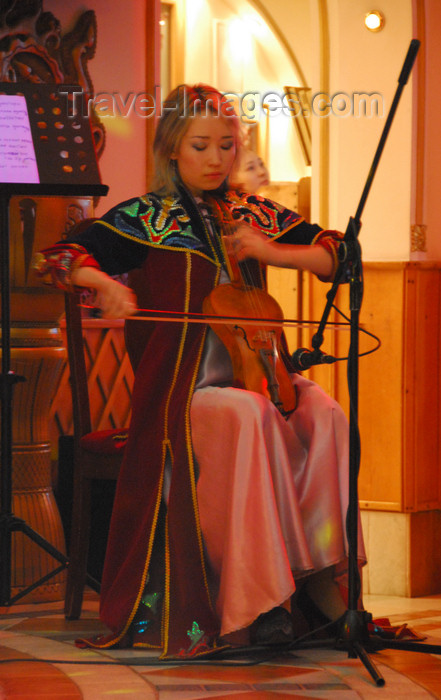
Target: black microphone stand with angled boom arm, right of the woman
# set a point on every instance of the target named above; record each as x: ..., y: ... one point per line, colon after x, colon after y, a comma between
x: 354, y: 631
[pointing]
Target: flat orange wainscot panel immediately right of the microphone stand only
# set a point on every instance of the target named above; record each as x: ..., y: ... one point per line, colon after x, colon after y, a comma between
x: 380, y: 398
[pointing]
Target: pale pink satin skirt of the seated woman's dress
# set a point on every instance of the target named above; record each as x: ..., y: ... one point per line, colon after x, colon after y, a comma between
x: 272, y: 493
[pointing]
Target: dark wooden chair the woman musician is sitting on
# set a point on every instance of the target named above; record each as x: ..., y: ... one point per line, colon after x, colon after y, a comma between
x: 97, y: 455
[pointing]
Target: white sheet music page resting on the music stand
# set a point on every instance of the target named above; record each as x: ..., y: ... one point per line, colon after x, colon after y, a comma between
x: 17, y: 153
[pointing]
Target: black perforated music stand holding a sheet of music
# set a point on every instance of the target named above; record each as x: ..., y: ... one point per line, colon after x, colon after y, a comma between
x: 43, y: 151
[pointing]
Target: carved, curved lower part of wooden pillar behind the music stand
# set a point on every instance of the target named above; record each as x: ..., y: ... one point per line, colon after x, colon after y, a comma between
x: 38, y: 355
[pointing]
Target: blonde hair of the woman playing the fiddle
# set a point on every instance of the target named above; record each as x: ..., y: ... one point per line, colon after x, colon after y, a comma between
x: 180, y: 106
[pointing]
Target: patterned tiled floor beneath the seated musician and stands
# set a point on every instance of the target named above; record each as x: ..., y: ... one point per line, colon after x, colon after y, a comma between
x: 38, y: 659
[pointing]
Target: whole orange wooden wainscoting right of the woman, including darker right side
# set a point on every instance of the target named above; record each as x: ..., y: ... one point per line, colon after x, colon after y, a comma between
x: 399, y: 385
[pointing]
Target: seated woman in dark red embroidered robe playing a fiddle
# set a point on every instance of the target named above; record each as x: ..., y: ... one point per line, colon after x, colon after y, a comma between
x: 228, y: 500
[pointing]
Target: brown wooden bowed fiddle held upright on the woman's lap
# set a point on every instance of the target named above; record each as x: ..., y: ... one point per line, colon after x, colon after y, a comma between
x: 255, y: 349
